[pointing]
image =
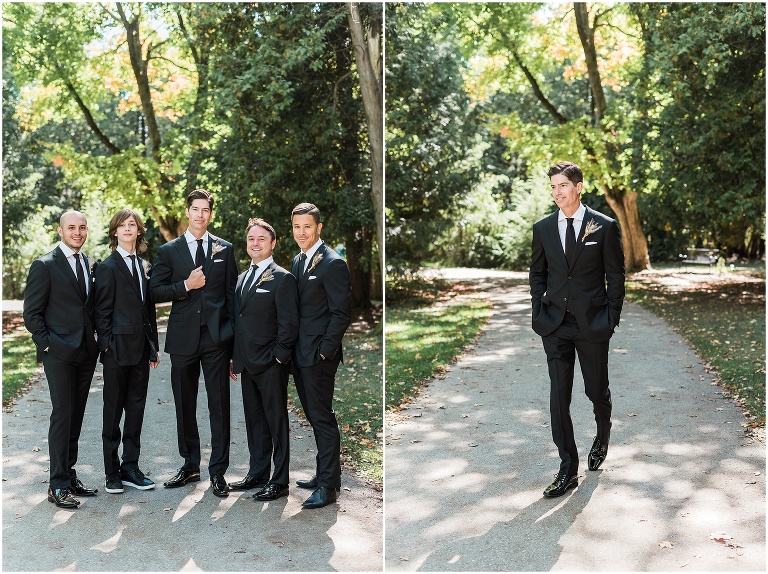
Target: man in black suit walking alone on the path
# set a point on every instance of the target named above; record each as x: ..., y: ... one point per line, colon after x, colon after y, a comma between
x: 577, y: 291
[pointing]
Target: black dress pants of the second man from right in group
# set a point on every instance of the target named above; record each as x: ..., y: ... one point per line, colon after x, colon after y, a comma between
x: 265, y: 402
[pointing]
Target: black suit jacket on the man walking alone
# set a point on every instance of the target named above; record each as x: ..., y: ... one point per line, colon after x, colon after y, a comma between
x: 595, y: 282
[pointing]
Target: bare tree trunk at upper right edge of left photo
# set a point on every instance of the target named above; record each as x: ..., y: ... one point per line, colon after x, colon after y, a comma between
x: 368, y: 60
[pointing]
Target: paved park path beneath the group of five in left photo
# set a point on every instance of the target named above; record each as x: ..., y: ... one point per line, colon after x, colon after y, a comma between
x: 184, y: 529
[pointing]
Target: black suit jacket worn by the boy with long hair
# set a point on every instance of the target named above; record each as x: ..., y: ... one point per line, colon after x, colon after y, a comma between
x: 124, y: 324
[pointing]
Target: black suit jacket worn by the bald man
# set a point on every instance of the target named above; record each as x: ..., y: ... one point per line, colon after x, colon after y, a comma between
x: 54, y: 310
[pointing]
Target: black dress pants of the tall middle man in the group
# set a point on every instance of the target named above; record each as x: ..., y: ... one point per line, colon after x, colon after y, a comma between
x: 185, y: 375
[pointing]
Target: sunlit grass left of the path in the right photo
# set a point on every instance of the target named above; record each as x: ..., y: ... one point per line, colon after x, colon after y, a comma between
x: 425, y: 333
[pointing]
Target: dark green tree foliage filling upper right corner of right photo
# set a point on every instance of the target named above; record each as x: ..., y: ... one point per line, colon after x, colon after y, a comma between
x: 702, y: 133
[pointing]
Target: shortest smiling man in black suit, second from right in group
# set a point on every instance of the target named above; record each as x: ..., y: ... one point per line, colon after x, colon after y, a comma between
x: 266, y: 326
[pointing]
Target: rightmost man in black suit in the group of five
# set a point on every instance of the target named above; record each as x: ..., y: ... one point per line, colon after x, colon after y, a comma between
x: 325, y: 313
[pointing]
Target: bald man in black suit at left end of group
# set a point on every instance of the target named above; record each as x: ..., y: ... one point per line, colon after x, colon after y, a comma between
x: 58, y: 311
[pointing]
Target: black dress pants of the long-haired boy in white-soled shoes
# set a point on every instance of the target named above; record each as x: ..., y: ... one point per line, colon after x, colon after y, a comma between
x: 125, y: 390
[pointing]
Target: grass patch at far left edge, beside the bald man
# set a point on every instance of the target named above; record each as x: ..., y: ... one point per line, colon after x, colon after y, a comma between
x: 19, y: 362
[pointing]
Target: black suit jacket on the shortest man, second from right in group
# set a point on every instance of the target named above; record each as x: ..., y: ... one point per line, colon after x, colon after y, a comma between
x: 267, y: 321
